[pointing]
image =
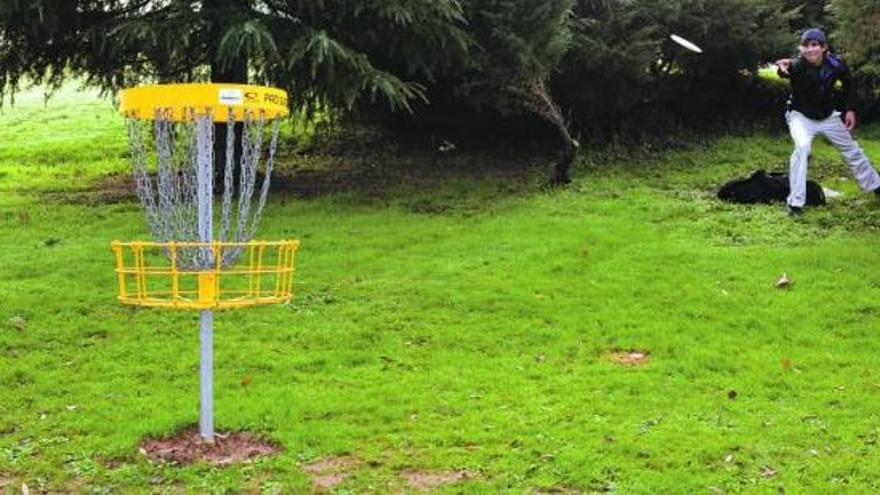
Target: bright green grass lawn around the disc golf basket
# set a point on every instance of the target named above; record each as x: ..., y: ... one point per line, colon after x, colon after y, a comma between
x: 464, y: 326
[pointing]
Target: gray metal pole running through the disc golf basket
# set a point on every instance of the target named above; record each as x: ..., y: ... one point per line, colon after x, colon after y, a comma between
x: 205, y: 191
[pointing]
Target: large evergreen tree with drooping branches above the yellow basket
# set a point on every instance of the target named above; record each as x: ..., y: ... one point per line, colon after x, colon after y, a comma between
x: 319, y: 51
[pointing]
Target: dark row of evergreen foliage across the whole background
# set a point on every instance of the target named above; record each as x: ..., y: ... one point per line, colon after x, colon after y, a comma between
x: 465, y: 69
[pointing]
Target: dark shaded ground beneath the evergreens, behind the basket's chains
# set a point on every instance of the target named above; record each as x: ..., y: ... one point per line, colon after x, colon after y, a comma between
x: 429, y: 183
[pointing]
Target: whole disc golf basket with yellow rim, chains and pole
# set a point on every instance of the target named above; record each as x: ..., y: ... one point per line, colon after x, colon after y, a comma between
x: 190, y: 264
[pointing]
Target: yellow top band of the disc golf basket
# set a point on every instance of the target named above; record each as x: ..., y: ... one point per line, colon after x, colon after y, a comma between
x: 181, y: 100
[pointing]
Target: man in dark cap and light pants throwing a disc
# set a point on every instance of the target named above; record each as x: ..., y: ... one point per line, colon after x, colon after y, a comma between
x: 813, y: 75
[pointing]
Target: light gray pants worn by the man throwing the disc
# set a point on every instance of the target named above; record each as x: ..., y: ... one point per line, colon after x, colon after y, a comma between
x: 803, y: 129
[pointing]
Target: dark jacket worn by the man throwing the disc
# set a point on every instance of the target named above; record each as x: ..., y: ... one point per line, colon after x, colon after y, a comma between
x: 812, y: 88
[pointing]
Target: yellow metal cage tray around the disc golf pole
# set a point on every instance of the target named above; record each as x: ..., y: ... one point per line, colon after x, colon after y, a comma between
x: 149, y: 274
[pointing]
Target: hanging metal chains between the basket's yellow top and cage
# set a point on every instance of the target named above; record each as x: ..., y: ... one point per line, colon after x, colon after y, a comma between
x: 170, y: 196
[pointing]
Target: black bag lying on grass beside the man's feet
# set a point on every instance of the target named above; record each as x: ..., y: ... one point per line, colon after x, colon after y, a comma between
x: 762, y: 187
